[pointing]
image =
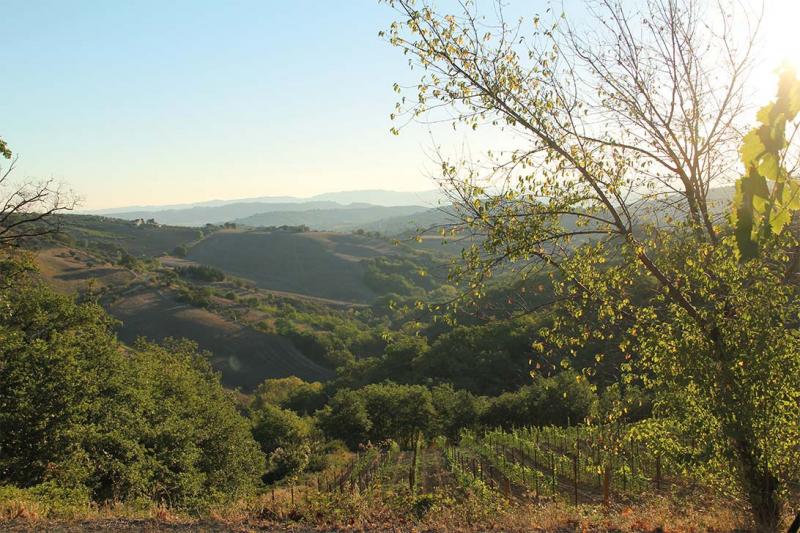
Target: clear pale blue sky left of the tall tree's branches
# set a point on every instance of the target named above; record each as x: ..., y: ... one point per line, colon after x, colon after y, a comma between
x: 153, y: 102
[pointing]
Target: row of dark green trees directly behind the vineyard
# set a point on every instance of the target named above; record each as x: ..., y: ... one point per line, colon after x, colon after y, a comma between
x: 402, y: 412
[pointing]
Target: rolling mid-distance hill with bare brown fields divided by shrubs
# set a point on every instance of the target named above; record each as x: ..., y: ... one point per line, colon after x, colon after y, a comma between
x: 268, y: 274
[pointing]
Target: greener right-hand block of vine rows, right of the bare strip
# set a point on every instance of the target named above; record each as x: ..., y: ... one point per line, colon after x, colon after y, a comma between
x: 583, y: 464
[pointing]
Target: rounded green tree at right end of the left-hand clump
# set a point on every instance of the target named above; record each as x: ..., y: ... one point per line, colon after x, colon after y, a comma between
x: 204, y: 448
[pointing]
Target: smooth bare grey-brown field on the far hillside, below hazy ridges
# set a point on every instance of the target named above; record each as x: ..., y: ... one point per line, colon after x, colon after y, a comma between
x: 319, y: 264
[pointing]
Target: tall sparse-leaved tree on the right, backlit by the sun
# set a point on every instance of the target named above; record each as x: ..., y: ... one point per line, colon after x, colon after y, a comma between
x: 624, y: 132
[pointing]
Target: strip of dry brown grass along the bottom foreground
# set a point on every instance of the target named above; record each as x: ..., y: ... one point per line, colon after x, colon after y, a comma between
x: 365, y: 512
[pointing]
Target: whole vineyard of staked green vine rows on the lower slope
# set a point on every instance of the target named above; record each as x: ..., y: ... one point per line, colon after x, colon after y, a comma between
x: 573, y: 465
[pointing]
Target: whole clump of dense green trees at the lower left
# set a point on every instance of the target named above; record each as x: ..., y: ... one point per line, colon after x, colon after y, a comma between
x: 80, y: 410
